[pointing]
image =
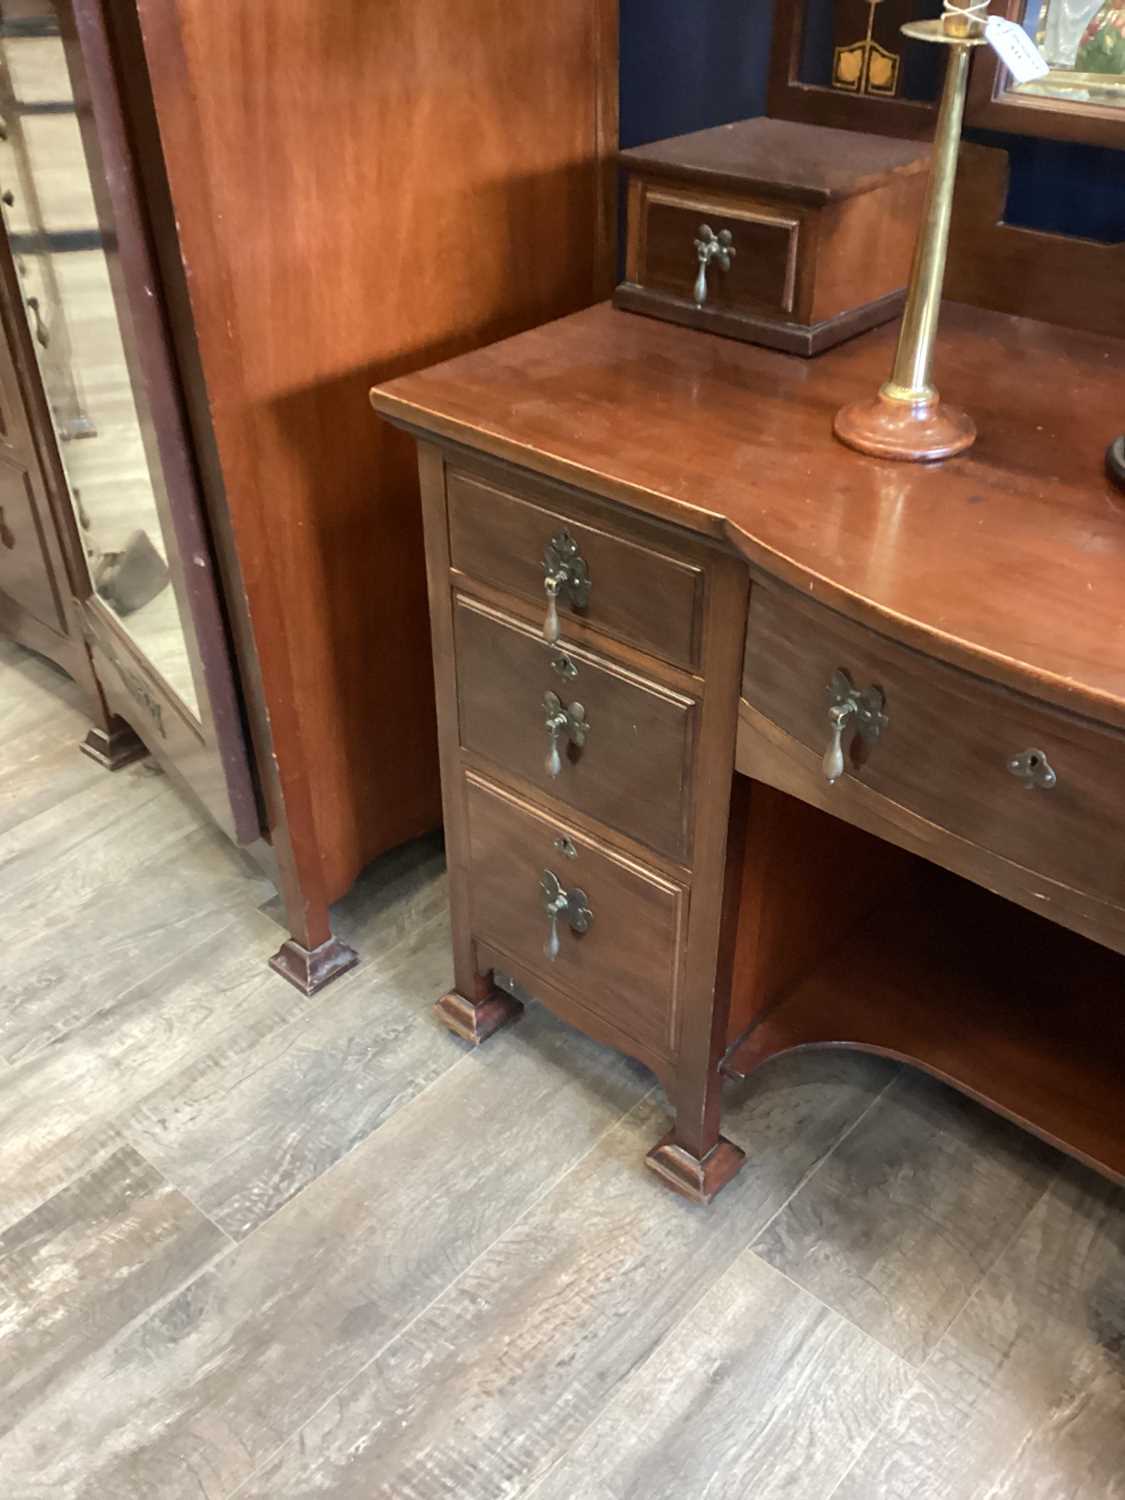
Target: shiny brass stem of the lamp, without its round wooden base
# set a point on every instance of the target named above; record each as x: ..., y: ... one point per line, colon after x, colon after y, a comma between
x: 914, y: 358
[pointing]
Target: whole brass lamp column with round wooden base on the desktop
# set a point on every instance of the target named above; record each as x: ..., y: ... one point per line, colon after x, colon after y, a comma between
x: 908, y: 419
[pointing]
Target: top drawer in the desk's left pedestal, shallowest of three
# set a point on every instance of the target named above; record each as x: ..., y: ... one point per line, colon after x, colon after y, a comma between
x: 638, y: 593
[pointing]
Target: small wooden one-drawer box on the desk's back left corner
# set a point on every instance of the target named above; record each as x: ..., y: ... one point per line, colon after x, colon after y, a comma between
x: 793, y: 236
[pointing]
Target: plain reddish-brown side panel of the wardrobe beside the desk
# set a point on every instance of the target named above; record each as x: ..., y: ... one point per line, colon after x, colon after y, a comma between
x: 359, y: 191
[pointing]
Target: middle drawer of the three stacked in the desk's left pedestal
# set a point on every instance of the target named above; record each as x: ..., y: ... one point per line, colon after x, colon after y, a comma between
x: 634, y: 772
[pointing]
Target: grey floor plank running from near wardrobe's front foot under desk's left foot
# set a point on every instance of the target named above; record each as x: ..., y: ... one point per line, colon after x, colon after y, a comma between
x: 250, y: 1124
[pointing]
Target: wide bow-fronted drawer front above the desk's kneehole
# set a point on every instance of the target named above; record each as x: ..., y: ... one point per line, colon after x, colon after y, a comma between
x: 949, y: 743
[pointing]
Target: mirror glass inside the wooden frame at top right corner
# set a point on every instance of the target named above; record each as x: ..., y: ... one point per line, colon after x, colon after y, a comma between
x: 1084, y: 41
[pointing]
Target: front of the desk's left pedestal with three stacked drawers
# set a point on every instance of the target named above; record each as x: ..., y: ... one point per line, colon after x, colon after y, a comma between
x: 586, y: 859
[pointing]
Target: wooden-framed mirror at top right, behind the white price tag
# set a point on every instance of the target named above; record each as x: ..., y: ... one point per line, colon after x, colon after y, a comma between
x: 1082, y: 98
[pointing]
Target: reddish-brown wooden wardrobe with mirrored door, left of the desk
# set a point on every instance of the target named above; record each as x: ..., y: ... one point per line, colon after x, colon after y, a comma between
x: 224, y: 223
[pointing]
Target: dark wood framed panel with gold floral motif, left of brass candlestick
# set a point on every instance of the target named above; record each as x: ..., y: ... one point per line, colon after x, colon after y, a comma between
x: 847, y: 64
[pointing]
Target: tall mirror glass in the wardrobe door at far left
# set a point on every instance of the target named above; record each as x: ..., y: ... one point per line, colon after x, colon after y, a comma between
x: 85, y: 340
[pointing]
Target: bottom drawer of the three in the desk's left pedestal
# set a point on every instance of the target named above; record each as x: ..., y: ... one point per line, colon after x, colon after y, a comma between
x: 626, y: 967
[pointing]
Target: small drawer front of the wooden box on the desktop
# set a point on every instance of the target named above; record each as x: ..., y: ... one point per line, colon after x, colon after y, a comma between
x: 763, y: 271
